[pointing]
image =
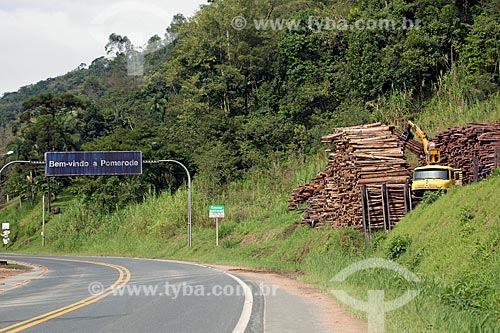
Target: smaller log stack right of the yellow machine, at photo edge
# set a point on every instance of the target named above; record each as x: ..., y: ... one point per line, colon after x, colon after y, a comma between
x: 460, y: 146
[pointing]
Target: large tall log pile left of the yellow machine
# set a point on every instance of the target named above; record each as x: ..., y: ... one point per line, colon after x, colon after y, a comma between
x: 369, y: 155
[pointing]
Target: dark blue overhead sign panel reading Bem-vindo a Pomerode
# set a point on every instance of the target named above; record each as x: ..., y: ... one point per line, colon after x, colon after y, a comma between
x: 93, y: 163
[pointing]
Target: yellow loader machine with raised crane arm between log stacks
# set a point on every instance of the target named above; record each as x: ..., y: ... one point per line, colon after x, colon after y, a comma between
x: 432, y: 177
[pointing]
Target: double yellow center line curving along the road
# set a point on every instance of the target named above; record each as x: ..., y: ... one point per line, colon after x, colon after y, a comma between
x: 123, y: 279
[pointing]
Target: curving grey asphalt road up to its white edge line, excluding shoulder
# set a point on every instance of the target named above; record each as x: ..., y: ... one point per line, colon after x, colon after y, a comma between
x: 129, y: 295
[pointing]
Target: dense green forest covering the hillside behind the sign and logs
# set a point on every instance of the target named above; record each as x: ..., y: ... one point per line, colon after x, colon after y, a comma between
x: 224, y: 98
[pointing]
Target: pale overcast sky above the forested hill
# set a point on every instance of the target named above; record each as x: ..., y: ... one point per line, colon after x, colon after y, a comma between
x: 40, y: 39
